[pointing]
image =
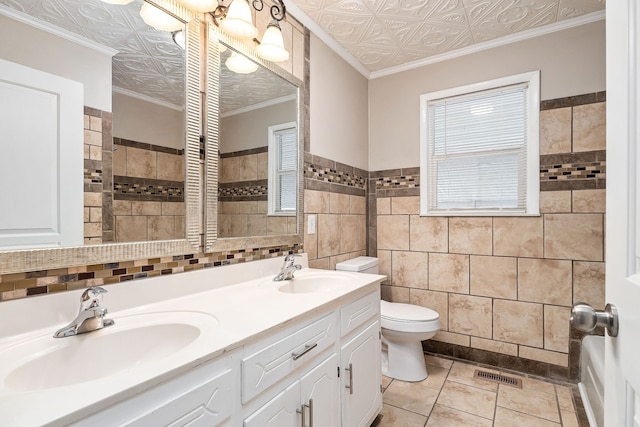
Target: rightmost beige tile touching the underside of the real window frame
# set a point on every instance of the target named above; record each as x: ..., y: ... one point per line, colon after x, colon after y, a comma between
x: 518, y: 236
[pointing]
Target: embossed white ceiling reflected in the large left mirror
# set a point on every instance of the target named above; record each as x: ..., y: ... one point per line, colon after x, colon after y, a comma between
x: 148, y: 63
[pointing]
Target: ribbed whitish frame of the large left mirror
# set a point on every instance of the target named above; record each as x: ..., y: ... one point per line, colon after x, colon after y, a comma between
x: 43, y: 259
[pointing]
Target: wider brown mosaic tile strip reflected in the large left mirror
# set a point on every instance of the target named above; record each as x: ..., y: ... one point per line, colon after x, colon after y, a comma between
x: 145, y: 189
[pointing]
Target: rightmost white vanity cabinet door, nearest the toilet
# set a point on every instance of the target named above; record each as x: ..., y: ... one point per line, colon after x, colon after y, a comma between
x: 361, y: 378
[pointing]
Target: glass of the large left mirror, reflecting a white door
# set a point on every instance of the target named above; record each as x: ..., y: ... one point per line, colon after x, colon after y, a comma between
x: 129, y: 168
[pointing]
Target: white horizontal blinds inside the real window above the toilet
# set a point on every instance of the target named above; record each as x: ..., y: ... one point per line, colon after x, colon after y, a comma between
x: 477, y: 151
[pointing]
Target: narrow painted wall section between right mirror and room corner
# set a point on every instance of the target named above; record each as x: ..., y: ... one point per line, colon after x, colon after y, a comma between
x: 339, y: 108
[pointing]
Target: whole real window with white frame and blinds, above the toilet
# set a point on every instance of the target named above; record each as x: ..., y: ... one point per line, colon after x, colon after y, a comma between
x: 479, y: 148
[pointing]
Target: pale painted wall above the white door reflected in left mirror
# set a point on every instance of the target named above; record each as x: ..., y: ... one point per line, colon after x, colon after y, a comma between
x: 43, y: 51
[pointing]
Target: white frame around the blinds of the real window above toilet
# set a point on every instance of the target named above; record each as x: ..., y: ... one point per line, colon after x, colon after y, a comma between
x: 532, y: 79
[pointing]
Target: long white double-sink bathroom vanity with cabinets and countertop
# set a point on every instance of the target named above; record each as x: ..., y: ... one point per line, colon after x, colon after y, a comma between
x: 225, y: 346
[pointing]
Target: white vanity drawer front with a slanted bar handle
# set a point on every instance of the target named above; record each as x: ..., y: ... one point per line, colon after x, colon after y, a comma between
x: 271, y: 362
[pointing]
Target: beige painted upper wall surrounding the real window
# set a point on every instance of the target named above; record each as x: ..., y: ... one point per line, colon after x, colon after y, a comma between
x: 572, y: 62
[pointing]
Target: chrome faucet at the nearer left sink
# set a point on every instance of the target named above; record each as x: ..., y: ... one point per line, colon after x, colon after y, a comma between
x: 90, y: 317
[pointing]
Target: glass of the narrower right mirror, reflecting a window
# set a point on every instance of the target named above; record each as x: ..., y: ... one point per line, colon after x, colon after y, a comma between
x: 258, y: 149
